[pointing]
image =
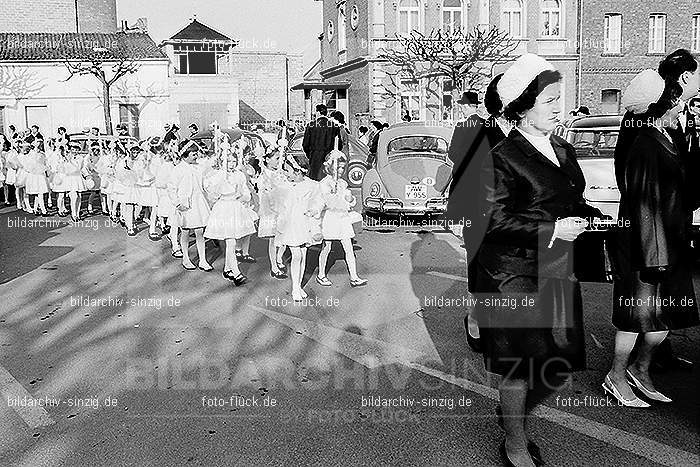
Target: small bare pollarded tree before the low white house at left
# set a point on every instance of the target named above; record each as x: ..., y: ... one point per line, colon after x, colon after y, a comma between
x: 98, y: 67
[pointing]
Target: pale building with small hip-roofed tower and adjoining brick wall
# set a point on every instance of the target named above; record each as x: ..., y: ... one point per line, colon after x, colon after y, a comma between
x: 212, y: 81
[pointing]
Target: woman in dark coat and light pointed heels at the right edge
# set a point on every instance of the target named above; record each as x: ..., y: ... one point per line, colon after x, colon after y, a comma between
x: 653, y: 292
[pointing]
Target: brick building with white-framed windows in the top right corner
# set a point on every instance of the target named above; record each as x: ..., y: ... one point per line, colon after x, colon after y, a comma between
x: 622, y: 37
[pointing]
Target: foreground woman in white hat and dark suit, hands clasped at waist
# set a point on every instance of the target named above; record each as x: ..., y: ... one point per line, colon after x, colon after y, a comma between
x: 529, y: 311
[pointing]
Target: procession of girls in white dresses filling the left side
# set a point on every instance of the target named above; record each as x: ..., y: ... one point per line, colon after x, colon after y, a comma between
x: 178, y: 187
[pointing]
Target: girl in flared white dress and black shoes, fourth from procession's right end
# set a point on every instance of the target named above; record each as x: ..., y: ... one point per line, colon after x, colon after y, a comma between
x: 231, y: 218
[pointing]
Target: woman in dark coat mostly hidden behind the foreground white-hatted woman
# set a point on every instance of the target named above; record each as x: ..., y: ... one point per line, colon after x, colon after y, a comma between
x: 472, y: 140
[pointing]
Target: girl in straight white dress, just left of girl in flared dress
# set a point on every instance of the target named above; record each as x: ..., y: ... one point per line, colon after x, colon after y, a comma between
x: 191, y: 204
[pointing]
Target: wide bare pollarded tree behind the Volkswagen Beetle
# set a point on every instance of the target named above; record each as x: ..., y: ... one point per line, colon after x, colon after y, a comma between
x: 465, y: 58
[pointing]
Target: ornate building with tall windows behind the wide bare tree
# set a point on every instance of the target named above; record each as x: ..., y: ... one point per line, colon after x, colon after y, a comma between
x: 353, y: 78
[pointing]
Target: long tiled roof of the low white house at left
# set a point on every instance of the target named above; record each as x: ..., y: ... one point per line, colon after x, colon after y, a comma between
x: 77, y: 46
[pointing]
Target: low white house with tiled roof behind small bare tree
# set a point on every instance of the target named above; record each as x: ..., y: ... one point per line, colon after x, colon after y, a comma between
x: 34, y: 85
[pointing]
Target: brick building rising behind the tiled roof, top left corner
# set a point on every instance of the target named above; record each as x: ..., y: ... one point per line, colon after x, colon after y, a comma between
x: 82, y: 16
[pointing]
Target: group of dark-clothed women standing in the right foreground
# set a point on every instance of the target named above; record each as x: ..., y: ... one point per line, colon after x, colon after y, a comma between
x: 522, y: 188
